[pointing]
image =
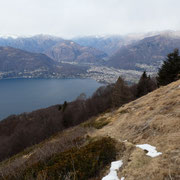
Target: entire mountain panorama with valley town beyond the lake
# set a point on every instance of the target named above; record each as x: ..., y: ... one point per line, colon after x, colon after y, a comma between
x: 100, y: 57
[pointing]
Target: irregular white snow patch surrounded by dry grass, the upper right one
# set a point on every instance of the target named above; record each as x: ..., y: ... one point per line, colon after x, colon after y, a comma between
x: 151, y: 150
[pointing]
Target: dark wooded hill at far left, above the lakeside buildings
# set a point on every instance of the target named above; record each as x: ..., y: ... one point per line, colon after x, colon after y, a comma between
x: 12, y: 59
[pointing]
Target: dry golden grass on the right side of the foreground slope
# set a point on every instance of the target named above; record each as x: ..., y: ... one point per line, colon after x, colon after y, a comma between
x: 153, y: 119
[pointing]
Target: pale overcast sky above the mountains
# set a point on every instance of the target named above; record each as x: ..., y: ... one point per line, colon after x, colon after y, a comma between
x: 69, y: 18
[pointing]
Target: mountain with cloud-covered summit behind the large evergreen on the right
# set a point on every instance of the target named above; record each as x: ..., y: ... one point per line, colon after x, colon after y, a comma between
x: 146, y: 54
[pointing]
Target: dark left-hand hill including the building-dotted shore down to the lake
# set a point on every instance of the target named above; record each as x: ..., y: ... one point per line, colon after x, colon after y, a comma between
x: 17, y: 63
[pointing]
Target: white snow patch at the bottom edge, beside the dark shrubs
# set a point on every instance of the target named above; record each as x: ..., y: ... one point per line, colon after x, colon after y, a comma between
x: 113, y: 171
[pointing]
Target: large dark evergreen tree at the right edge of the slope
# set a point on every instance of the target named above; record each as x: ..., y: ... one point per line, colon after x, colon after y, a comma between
x: 170, y: 69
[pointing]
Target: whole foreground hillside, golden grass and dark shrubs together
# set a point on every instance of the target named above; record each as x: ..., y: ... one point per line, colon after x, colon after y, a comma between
x: 152, y: 119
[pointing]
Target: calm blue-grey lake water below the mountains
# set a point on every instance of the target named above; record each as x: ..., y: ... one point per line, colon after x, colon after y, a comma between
x: 25, y: 95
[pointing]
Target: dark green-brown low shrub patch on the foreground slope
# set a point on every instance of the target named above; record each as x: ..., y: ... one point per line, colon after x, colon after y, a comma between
x: 78, y: 163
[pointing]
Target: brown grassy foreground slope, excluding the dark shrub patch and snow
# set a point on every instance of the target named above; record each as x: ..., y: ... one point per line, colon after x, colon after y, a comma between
x: 153, y: 119
